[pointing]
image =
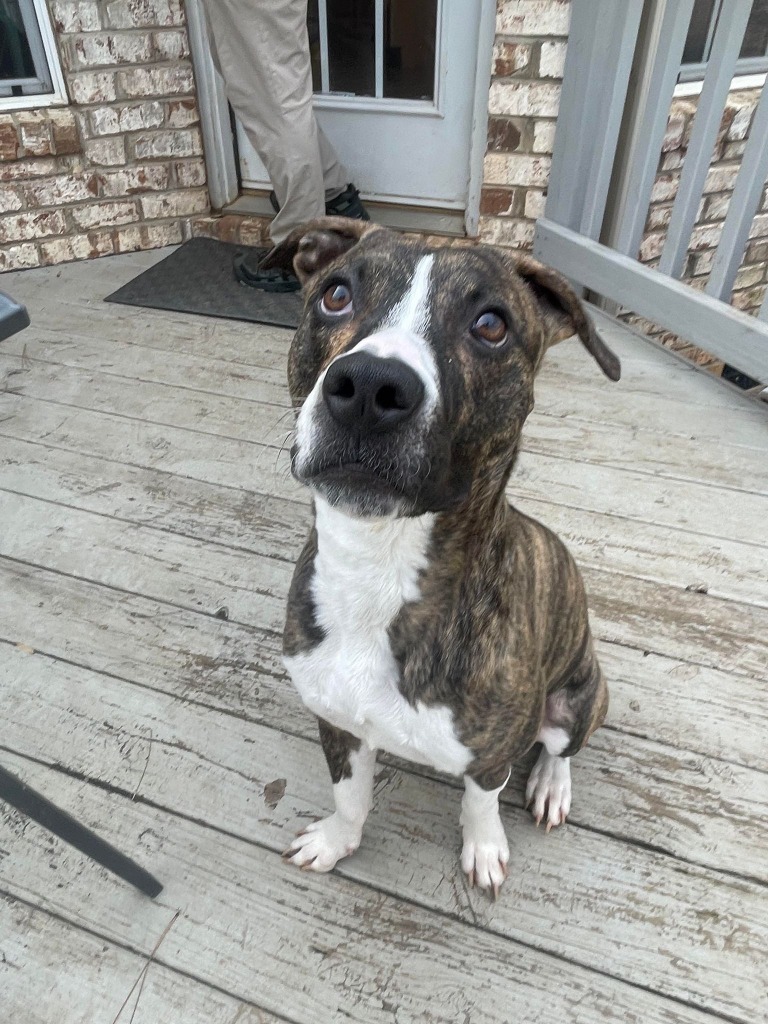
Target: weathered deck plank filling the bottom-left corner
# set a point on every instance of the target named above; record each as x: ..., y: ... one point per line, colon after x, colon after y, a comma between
x: 53, y: 971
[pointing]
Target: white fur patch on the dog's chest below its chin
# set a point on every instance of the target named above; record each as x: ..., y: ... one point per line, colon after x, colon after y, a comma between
x: 365, y: 573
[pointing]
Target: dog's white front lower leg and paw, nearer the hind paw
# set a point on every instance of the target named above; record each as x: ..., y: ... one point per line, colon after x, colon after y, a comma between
x: 486, y: 851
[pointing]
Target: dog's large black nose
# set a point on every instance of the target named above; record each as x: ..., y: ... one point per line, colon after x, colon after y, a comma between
x: 370, y: 395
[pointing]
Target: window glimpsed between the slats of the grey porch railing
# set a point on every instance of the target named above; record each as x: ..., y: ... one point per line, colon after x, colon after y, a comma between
x: 754, y: 56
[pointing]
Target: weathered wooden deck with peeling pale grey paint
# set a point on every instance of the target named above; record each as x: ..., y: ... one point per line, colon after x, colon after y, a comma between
x: 144, y: 489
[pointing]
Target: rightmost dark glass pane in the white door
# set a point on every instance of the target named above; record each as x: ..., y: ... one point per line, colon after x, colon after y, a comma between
x: 410, y: 31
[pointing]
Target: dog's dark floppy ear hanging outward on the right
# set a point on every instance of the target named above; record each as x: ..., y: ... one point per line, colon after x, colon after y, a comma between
x: 564, y: 313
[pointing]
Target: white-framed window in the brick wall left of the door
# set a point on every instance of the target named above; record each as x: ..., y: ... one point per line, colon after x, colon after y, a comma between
x: 30, y: 75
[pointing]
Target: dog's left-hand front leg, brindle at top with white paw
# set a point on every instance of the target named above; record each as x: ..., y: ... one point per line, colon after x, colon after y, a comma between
x: 352, y: 763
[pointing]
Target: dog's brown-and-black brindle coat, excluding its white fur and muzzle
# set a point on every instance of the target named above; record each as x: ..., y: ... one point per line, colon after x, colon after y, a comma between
x: 501, y: 633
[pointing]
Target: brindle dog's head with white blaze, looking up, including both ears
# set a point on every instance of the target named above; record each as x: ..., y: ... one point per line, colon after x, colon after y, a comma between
x: 414, y: 365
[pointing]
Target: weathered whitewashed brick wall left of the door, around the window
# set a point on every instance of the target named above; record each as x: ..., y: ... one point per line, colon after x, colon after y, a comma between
x: 121, y: 168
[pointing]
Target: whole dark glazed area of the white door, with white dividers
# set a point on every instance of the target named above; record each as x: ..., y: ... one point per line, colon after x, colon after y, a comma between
x: 407, y: 49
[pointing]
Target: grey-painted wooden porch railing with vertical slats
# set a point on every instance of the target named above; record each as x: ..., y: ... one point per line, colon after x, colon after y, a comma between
x: 622, y: 67
